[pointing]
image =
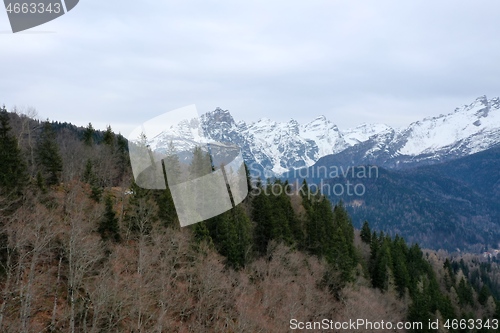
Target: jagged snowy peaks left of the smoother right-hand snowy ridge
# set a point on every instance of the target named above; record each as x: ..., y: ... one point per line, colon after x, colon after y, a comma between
x: 266, y: 144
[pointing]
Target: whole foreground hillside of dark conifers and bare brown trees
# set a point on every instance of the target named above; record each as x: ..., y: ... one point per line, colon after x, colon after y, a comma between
x: 84, y: 249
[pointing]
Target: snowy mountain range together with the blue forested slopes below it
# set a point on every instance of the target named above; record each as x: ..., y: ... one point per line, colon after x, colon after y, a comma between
x: 438, y: 180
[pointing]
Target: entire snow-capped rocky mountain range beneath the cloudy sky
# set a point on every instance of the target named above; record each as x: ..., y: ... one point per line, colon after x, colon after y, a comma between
x: 273, y: 148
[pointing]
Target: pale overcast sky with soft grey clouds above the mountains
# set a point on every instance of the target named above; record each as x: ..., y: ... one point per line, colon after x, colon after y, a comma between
x: 124, y: 62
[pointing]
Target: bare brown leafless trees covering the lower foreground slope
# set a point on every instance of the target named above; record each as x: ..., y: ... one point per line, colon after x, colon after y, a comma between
x: 61, y: 276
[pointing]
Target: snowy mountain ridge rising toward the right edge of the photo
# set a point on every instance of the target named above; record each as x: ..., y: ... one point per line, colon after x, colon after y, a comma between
x: 469, y: 129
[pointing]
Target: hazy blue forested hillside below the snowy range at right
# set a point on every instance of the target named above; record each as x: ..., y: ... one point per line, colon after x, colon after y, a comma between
x: 451, y: 205
